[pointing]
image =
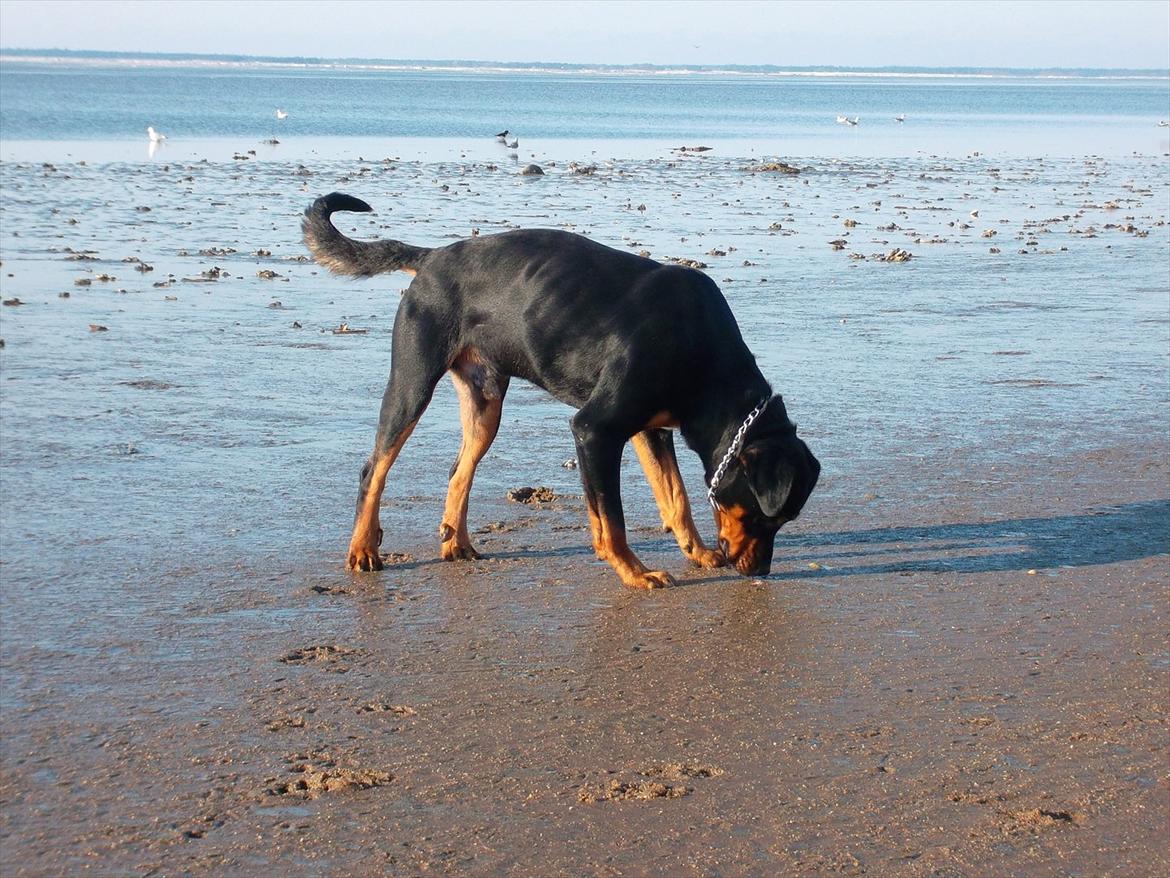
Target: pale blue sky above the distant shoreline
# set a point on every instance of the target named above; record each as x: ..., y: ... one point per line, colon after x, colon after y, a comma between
x: 1058, y: 33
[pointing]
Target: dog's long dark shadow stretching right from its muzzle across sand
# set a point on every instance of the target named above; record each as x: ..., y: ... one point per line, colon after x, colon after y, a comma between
x: 1099, y: 537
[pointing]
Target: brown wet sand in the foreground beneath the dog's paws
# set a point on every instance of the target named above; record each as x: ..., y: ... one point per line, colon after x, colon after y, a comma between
x: 921, y: 704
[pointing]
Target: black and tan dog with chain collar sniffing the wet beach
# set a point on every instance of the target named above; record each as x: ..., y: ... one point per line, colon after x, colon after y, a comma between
x: 635, y: 346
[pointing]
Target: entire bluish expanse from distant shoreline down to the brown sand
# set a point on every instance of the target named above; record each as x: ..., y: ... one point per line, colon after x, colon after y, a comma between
x: 171, y: 386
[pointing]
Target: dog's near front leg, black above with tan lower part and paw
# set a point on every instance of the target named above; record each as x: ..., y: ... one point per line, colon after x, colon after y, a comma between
x: 600, y: 455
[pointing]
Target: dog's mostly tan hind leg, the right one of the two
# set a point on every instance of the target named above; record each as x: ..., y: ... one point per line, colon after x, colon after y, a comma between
x: 479, y: 410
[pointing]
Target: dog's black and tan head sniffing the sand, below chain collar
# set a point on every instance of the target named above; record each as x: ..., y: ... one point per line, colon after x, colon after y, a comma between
x: 766, y: 489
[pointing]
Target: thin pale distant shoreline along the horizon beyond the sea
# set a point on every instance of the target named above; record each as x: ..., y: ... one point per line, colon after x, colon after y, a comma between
x: 183, y: 60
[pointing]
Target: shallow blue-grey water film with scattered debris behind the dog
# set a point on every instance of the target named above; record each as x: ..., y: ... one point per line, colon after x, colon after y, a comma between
x: 203, y: 422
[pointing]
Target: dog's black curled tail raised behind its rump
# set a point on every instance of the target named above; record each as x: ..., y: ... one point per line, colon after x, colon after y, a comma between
x: 345, y: 256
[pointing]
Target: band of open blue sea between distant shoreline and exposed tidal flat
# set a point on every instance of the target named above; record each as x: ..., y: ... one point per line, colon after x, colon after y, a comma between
x: 425, y: 108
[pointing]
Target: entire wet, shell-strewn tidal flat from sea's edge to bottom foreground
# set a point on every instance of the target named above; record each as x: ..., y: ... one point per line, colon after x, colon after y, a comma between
x: 959, y: 667
